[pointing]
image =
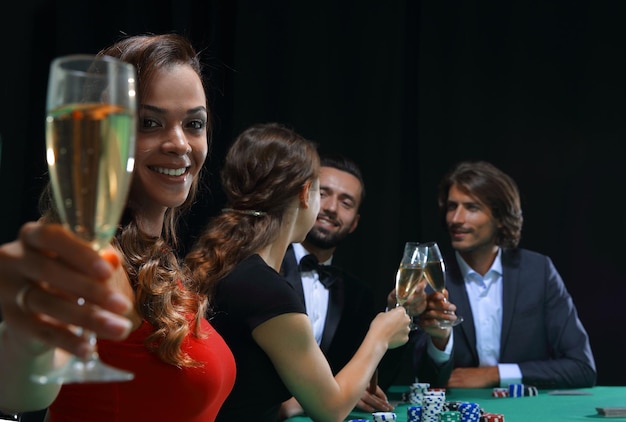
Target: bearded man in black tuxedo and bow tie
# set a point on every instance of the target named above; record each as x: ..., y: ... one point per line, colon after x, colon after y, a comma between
x: 339, y: 305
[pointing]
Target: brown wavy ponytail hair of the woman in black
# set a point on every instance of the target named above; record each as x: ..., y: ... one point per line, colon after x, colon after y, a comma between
x: 265, y: 168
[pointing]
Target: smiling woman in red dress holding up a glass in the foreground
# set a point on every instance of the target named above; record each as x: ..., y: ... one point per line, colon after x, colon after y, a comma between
x: 147, y: 312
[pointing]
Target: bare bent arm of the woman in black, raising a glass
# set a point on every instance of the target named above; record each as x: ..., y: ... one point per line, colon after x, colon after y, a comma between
x: 289, y: 342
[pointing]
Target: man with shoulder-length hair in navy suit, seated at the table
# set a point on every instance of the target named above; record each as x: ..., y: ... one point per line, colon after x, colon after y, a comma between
x: 520, y: 323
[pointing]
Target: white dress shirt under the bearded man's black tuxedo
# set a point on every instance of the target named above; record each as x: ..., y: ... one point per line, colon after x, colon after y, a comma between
x: 315, y: 294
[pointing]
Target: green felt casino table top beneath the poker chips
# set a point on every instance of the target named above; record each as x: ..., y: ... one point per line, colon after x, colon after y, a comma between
x: 549, y: 405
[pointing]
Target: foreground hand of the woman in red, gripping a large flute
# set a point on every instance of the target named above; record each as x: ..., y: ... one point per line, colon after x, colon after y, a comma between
x: 51, y: 281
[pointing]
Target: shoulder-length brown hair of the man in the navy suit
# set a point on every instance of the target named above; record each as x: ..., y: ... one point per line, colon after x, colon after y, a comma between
x: 493, y: 187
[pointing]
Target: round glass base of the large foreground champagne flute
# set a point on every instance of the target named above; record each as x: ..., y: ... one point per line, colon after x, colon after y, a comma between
x: 81, y: 371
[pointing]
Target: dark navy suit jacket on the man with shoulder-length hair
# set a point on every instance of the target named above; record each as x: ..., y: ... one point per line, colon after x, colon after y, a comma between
x: 541, y: 331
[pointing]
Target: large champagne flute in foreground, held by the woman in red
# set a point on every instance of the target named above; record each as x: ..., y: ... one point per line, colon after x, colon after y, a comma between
x: 91, y: 123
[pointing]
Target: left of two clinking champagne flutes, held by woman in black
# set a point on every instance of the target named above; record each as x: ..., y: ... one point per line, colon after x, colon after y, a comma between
x: 410, y: 272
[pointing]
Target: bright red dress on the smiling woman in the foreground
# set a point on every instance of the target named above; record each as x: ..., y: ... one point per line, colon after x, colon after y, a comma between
x: 159, y: 391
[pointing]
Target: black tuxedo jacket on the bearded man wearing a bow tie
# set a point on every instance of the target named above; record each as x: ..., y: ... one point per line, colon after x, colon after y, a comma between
x: 350, y: 311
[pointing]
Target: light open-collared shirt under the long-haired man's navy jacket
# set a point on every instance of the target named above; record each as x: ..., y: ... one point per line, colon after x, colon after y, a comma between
x: 485, y: 297
